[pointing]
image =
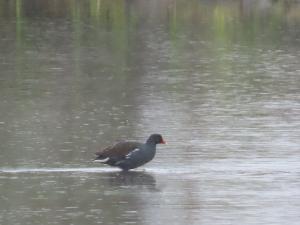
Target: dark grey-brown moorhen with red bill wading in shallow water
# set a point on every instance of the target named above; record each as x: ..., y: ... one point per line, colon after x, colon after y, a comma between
x: 128, y: 155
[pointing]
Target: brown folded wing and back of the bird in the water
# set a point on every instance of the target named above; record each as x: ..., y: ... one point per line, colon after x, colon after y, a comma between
x: 120, y: 149
